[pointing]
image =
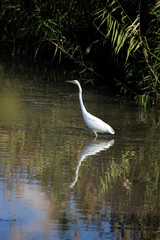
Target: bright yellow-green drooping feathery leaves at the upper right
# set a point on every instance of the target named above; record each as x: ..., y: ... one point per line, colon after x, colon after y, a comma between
x: 118, y: 29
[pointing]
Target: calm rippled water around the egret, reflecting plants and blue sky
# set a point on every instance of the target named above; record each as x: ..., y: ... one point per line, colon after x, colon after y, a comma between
x: 57, y: 181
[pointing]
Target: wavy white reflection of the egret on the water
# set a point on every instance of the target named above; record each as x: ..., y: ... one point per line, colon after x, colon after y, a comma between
x: 91, y: 149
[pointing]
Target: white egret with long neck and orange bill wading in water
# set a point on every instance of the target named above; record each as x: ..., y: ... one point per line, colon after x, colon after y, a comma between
x: 93, y: 123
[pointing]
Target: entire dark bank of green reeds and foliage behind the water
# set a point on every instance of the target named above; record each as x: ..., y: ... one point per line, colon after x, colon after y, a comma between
x: 62, y: 28
